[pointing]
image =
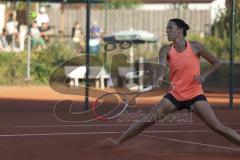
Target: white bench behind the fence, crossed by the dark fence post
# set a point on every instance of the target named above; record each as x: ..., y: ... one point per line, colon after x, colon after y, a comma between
x: 79, y: 72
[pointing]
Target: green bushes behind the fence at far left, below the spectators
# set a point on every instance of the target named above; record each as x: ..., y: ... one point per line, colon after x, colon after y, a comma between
x: 13, y: 66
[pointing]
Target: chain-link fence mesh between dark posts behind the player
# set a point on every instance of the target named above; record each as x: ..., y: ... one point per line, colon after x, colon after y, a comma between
x: 37, y: 46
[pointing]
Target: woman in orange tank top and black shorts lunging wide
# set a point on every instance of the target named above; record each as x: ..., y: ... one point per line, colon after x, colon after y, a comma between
x: 183, y: 58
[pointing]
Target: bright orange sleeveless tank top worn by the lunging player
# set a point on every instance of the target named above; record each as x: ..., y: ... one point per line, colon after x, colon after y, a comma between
x: 183, y: 67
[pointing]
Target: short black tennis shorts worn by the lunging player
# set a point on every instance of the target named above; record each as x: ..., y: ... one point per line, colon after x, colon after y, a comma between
x: 184, y: 104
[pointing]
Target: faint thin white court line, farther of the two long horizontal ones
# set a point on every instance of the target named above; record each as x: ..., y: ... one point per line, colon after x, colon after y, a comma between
x: 109, y: 125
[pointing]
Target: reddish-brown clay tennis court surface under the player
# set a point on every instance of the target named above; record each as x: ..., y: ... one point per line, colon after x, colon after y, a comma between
x: 30, y: 131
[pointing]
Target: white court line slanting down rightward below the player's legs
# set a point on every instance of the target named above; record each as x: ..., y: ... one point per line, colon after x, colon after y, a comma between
x: 190, y: 142
